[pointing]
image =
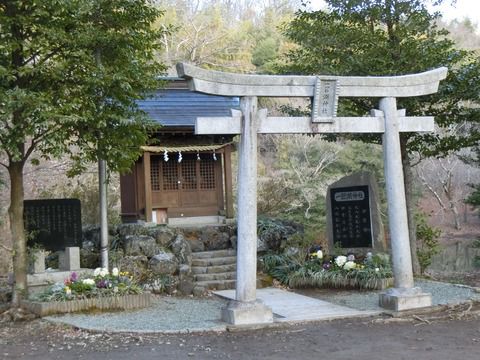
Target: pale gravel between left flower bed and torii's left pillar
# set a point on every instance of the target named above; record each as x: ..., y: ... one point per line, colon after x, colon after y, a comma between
x: 167, y: 314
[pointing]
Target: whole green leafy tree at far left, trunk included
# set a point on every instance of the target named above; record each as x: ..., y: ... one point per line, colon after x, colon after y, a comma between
x: 70, y: 72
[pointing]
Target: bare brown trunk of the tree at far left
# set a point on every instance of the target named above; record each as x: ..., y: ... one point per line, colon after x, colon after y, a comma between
x: 15, y: 213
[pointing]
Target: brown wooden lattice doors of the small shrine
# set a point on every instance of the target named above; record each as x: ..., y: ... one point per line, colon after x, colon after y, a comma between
x: 191, y: 187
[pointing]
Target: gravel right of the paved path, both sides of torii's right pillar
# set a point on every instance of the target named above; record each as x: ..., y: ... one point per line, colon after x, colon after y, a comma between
x: 442, y: 293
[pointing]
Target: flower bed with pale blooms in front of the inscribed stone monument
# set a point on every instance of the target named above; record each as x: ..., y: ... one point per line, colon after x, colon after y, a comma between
x: 373, y: 272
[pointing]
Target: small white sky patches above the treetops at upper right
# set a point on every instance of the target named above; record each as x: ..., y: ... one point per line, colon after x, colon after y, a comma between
x: 462, y: 9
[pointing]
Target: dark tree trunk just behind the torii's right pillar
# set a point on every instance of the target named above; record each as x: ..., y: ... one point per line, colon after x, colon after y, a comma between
x: 409, y: 197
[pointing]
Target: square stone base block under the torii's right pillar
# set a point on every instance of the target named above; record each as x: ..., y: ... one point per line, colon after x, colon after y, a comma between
x: 399, y: 299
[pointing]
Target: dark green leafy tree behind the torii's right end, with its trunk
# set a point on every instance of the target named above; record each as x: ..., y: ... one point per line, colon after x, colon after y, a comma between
x: 392, y: 37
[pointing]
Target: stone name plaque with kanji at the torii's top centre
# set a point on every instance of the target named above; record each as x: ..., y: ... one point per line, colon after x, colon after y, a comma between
x: 325, y: 101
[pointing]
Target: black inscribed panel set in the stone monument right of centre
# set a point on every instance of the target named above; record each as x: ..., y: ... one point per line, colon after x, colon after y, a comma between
x: 351, y: 223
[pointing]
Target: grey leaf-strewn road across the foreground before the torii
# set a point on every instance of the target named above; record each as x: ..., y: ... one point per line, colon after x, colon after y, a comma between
x: 372, y: 339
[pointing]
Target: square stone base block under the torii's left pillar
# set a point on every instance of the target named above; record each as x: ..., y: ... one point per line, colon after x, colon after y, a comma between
x: 247, y: 313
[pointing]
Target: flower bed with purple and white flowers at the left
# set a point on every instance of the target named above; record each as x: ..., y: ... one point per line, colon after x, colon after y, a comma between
x: 103, y: 291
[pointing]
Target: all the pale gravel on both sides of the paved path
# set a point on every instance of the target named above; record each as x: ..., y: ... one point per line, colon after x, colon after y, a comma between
x: 184, y: 315
